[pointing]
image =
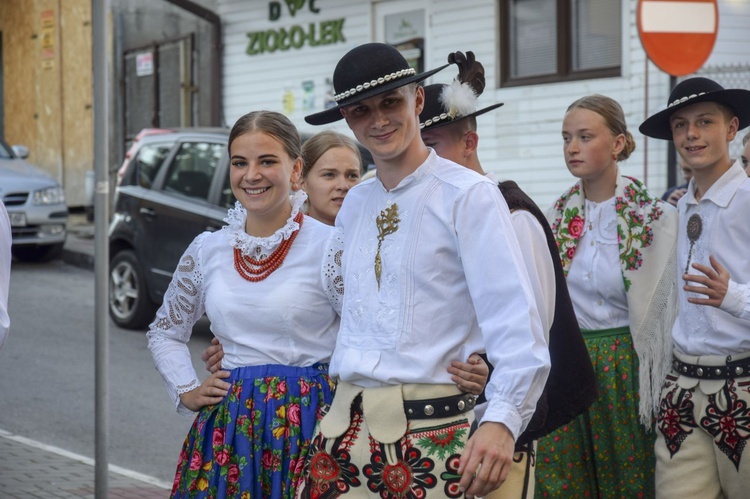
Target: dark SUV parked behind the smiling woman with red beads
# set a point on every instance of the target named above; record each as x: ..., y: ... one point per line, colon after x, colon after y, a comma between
x: 173, y: 186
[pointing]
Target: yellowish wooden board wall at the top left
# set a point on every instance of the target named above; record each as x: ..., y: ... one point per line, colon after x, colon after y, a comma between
x: 47, y: 80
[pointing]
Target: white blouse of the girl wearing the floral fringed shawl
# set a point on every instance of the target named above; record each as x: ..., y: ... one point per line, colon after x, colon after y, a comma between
x: 595, y: 276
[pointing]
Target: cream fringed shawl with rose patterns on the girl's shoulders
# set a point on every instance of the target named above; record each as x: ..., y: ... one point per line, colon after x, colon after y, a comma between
x: 647, y: 235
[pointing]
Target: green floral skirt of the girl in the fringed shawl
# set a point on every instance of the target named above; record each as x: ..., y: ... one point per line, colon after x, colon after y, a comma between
x: 605, y: 452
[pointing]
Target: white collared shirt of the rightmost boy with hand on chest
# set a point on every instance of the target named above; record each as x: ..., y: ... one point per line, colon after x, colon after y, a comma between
x: 723, y: 209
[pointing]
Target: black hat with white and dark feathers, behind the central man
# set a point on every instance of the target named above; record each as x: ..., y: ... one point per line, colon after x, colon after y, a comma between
x: 446, y: 104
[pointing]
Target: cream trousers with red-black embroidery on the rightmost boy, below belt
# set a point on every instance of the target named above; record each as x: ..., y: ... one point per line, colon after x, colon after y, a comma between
x: 701, y: 439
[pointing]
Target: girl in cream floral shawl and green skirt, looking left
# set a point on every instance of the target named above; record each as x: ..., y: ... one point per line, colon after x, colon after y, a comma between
x: 617, y: 245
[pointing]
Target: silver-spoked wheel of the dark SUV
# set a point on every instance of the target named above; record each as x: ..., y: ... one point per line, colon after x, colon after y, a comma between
x: 129, y: 304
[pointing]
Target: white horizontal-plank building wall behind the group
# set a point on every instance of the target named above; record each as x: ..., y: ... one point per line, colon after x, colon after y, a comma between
x: 520, y: 140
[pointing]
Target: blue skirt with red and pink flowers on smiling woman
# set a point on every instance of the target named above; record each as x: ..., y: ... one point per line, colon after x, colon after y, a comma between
x: 254, y: 443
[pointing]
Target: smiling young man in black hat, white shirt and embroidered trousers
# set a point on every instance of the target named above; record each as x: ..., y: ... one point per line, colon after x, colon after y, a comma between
x: 425, y: 282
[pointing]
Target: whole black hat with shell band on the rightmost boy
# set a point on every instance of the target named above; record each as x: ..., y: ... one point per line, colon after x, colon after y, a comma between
x: 693, y: 91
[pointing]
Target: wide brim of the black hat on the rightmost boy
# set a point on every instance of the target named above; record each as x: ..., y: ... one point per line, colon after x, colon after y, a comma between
x: 658, y: 126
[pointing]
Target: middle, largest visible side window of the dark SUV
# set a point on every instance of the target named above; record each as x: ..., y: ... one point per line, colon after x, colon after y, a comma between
x: 192, y: 169
